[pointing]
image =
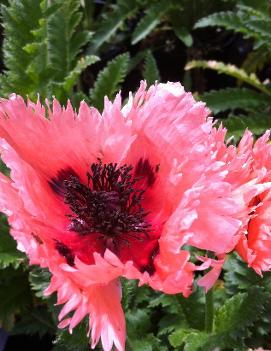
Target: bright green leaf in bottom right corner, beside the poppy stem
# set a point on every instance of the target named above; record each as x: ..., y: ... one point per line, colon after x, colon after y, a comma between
x: 231, y: 324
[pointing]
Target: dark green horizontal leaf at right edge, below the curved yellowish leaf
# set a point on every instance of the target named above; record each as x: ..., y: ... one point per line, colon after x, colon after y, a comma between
x: 235, y: 98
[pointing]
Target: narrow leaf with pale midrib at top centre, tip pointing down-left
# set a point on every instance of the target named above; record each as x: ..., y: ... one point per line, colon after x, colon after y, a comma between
x: 150, y: 20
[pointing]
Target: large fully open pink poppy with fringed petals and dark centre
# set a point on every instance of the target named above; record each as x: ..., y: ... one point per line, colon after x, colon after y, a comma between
x: 97, y: 197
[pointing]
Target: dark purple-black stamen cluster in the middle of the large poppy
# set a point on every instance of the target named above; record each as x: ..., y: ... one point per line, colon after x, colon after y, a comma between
x: 110, y: 203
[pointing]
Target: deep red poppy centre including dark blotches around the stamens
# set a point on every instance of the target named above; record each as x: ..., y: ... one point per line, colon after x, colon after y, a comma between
x: 107, y: 212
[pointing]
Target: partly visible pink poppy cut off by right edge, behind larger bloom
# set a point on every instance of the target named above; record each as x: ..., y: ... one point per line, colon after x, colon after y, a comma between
x: 249, y: 172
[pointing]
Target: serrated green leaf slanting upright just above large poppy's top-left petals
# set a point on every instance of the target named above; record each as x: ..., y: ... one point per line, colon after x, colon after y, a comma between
x: 109, y: 80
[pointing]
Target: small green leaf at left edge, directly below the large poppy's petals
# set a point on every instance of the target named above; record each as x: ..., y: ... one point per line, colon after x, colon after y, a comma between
x: 9, y: 255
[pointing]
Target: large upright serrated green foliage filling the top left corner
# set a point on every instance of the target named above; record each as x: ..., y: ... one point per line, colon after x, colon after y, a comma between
x: 46, y: 50
